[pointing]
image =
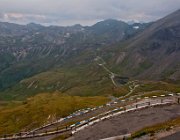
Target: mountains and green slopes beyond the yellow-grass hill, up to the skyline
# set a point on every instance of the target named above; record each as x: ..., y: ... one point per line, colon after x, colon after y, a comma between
x: 35, y: 58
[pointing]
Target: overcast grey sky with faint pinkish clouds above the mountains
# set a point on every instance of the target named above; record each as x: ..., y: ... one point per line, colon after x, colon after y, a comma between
x: 85, y: 12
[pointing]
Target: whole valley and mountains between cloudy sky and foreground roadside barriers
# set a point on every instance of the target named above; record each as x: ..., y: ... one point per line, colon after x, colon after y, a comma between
x: 49, y: 72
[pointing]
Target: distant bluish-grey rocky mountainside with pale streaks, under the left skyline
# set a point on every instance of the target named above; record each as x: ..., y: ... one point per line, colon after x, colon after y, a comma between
x: 25, y: 48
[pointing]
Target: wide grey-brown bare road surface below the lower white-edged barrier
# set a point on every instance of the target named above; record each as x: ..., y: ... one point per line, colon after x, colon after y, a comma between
x: 129, y: 122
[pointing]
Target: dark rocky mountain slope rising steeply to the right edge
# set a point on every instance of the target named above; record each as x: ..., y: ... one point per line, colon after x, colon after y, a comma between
x: 153, y: 54
